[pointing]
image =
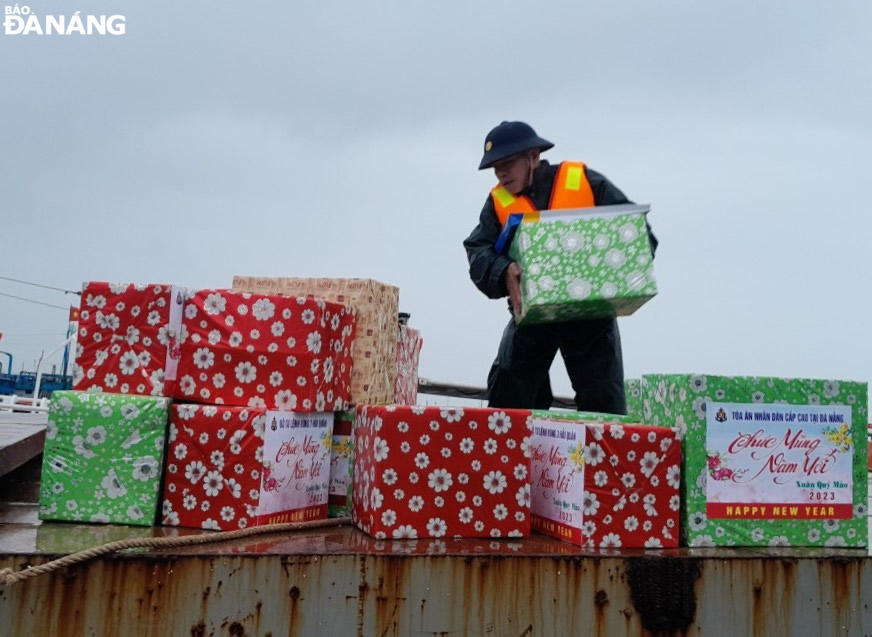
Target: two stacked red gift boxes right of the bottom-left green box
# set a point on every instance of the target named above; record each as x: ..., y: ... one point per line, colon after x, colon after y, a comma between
x: 261, y: 377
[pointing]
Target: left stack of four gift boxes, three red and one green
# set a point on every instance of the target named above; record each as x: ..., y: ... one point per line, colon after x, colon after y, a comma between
x: 255, y: 380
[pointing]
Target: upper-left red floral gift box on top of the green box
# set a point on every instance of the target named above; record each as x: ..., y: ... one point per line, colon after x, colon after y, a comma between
x: 127, y: 338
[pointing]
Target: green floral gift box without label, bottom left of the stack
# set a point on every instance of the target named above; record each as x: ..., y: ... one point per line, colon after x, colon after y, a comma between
x: 103, y: 458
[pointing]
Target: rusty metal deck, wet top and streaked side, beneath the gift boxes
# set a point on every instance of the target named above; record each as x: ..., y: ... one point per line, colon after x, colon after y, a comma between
x: 342, y: 582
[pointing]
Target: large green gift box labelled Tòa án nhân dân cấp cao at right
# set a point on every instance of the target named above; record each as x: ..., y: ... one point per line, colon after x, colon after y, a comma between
x: 767, y: 461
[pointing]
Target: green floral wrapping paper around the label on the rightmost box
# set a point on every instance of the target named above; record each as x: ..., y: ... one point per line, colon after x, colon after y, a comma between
x: 681, y: 401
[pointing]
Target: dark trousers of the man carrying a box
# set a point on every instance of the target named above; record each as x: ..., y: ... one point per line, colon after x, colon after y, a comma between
x: 591, y: 351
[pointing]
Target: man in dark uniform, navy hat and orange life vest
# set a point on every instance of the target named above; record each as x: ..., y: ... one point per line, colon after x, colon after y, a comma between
x: 591, y: 348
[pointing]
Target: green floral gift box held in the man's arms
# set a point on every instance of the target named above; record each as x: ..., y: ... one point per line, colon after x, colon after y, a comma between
x: 583, y: 264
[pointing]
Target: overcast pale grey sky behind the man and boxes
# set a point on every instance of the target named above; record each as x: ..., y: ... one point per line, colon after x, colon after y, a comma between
x: 342, y: 139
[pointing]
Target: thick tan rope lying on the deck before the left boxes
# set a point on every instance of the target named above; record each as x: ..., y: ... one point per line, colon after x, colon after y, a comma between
x: 8, y: 577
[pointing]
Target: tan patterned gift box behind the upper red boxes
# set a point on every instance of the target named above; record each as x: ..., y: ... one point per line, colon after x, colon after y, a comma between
x: 373, y: 376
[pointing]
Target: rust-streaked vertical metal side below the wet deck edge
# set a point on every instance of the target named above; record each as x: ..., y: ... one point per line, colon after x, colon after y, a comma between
x: 492, y: 594
